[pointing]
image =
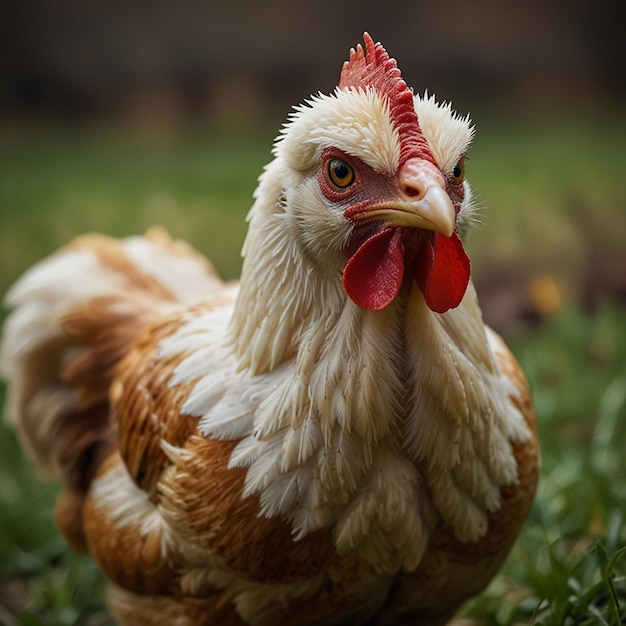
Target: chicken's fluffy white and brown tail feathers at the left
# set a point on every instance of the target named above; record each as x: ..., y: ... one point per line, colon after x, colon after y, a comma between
x: 76, y: 315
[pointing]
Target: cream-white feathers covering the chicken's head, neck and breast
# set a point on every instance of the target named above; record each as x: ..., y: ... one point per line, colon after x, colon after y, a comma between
x: 331, y: 431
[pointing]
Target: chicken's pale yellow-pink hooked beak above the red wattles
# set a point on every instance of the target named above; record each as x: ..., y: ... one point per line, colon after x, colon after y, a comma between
x: 422, y: 201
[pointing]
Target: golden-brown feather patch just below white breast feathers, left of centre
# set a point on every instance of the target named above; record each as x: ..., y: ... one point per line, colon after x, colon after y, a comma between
x: 206, y: 496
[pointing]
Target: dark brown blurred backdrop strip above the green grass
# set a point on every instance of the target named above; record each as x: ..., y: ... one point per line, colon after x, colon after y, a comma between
x: 184, y: 61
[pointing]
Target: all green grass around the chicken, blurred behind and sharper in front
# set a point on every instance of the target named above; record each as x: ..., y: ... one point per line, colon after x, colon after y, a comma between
x: 552, y: 193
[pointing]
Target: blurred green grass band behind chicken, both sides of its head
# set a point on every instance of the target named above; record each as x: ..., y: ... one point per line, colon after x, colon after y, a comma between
x: 550, y: 189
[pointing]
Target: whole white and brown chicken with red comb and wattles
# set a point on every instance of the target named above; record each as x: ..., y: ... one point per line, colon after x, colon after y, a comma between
x: 336, y: 439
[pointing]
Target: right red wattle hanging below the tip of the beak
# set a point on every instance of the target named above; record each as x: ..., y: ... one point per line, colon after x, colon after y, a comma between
x: 442, y: 272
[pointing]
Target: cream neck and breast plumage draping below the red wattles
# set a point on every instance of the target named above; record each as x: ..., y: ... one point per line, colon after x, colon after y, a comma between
x: 359, y: 393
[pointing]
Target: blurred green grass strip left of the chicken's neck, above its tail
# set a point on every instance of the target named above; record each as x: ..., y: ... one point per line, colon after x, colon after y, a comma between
x: 56, y: 184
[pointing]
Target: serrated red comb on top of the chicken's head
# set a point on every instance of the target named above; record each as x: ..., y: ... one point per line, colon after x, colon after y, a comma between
x: 374, y: 68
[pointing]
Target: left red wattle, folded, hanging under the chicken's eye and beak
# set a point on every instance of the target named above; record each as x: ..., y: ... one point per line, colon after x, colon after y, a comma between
x: 373, y: 275
